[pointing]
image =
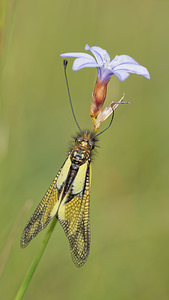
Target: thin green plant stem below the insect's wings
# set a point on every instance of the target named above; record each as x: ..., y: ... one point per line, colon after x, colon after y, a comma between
x: 32, y: 269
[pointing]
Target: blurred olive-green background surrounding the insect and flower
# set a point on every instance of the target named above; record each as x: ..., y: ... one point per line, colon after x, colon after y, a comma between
x: 129, y: 257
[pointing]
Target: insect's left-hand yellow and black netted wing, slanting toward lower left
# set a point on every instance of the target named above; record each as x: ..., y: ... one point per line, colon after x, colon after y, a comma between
x: 47, y: 208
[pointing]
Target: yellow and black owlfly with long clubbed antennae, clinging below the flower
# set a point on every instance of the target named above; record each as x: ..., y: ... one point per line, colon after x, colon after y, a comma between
x: 67, y: 198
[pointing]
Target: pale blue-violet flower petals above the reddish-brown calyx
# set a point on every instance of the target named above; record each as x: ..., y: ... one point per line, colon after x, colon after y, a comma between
x: 120, y: 66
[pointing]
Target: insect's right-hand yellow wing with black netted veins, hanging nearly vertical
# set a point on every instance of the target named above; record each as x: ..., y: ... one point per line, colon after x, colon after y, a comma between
x: 73, y: 215
